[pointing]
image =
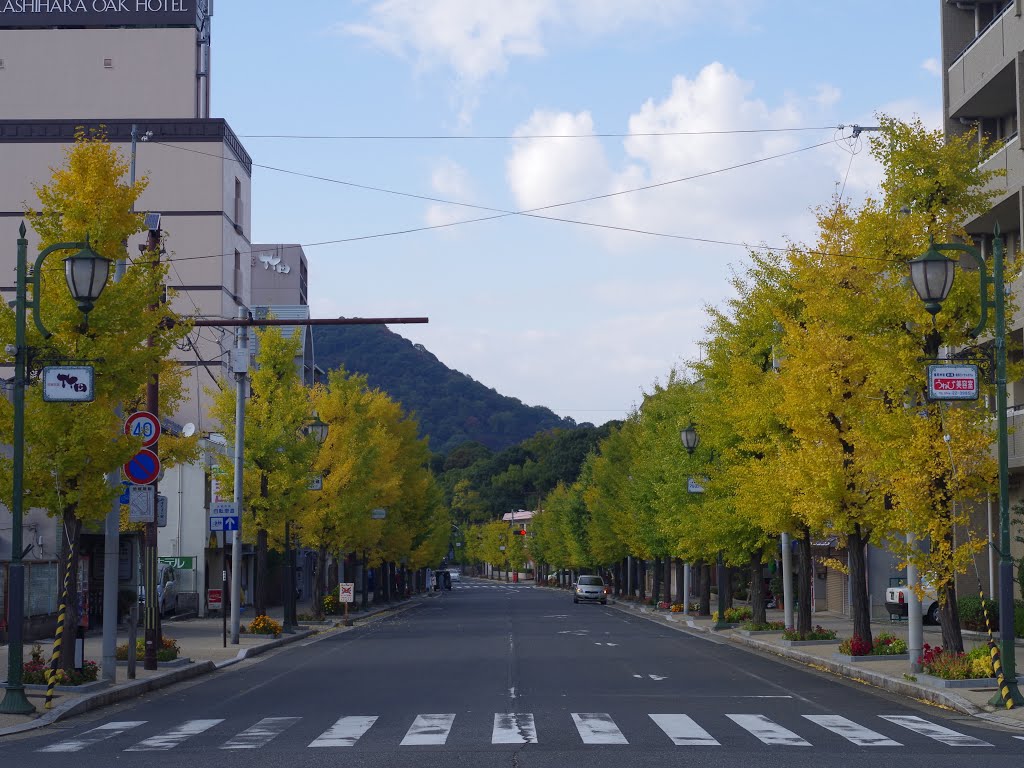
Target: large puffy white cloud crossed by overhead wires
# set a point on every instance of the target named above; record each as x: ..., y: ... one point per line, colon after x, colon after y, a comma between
x: 752, y: 203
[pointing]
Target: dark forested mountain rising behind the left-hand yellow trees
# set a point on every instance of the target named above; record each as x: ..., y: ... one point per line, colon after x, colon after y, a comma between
x: 451, y: 407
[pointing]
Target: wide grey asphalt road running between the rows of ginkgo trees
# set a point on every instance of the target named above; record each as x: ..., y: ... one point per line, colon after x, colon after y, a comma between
x: 495, y: 675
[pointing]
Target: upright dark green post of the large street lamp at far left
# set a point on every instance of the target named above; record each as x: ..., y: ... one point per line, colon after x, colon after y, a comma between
x: 15, y: 701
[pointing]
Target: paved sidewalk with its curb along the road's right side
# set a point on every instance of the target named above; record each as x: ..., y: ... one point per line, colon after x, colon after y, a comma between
x: 892, y: 676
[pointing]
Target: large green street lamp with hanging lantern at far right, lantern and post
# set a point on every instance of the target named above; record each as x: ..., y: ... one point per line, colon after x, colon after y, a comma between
x: 932, y: 276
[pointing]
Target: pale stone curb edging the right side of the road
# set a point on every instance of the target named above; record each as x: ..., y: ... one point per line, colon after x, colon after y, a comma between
x: 858, y: 674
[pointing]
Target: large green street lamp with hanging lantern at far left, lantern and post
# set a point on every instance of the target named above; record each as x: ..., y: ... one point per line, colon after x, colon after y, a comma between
x: 87, y: 274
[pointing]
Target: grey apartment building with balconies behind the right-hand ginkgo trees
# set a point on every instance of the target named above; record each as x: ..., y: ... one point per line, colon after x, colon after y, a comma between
x: 984, y: 95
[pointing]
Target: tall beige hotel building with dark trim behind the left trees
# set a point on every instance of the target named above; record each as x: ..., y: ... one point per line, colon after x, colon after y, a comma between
x: 120, y: 66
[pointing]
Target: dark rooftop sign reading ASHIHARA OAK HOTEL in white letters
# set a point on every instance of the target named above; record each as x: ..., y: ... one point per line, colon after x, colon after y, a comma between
x: 101, y: 13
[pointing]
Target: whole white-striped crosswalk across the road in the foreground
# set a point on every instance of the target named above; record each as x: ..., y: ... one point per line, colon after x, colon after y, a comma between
x: 522, y: 729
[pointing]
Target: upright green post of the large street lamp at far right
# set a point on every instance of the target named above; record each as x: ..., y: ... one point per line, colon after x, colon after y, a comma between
x: 1006, y: 563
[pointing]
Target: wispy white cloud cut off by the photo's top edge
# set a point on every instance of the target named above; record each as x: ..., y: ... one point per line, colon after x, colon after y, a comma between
x: 478, y: 39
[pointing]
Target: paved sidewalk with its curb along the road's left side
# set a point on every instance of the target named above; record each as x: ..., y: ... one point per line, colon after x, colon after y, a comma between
x: 202, y: 652
